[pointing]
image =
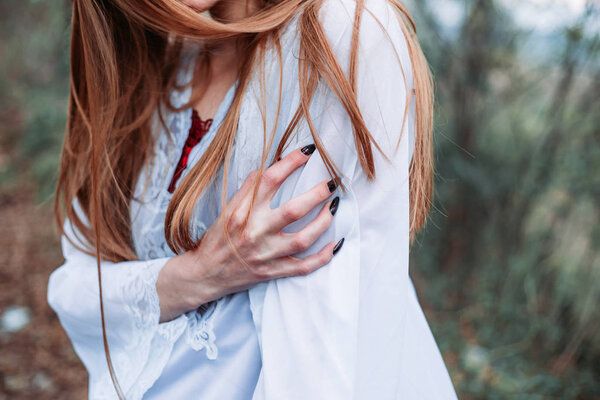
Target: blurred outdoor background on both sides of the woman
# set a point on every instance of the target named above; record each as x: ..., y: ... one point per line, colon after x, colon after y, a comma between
x: 508, y: 267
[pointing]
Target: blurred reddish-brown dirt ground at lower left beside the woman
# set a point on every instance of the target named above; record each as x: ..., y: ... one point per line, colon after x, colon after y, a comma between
x: 38, y: 361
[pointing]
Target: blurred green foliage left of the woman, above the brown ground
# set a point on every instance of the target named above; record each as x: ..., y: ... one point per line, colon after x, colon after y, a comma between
x: 34, y: 66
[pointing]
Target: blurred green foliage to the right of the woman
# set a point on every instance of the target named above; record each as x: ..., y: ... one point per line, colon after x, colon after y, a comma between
x: 509, y: 263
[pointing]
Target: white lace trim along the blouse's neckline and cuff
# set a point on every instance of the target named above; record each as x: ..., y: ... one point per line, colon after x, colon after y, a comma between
x: 148, y: 228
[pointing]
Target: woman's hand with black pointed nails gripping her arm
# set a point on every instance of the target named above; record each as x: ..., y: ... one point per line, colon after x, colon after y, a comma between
x: 214, y: 269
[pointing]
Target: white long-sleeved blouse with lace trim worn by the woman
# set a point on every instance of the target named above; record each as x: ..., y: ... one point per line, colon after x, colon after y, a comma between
x: 351, y: 330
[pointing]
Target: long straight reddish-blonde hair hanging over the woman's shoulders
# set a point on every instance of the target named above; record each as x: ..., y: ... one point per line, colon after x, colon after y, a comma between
x: 123, y: 63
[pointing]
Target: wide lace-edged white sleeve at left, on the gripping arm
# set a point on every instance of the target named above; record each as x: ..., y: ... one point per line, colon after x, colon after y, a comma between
x: 139, y: 345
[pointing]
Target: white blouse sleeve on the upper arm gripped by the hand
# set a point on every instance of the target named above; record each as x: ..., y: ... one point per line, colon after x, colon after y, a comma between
x: 337, y: 332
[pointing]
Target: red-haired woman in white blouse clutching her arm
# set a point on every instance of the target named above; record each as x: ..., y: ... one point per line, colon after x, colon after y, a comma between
x: 186, y: 276
